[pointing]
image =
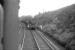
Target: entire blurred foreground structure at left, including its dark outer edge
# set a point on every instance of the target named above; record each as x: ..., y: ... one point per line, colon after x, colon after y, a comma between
x: 9, y: 24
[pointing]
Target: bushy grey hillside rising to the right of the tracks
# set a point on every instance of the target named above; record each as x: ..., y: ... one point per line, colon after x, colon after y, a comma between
x: 60, y: 23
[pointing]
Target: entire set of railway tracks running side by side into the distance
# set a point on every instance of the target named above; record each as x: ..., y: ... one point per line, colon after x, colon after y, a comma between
x: 35, y: 40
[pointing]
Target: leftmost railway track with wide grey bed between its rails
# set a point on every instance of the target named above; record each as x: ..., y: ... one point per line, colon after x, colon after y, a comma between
x: 28, y: 42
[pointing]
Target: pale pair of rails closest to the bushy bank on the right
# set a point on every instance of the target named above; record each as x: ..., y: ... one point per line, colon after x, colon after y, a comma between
x: 50, y: 42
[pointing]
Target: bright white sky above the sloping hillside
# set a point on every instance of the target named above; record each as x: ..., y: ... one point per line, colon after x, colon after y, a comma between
x: 33, y: 7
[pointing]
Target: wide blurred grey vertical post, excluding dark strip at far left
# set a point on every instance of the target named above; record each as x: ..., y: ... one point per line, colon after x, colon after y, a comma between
x: 11, y: 25
